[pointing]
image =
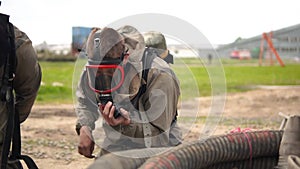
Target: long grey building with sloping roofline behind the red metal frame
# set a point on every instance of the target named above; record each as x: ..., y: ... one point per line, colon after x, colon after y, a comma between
x: 286, y: 41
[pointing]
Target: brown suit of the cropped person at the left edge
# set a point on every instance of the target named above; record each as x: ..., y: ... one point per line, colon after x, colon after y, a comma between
x: 25, y: 84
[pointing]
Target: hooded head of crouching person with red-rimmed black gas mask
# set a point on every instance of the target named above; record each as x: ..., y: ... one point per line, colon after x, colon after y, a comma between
x: 106, y: 74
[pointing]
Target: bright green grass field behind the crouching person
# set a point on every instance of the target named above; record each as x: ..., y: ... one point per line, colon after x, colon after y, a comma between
x: 195, y: 79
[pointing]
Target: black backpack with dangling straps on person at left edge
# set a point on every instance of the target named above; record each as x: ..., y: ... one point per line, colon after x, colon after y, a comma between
x: 12, y: 136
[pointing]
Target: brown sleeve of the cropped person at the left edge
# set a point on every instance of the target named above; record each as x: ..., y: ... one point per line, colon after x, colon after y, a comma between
x: 27, y: 78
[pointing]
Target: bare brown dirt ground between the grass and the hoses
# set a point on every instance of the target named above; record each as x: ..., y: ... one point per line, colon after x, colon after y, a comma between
x: 49, y: 137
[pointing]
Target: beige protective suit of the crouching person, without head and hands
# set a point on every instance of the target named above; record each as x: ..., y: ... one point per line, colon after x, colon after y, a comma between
x: 153, y: 113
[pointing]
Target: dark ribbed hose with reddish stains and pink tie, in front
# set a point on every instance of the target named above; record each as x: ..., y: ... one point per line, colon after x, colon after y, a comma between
x: 221, y: 149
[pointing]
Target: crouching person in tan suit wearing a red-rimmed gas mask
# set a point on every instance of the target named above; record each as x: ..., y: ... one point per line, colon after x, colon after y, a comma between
x: 146, y: 101
